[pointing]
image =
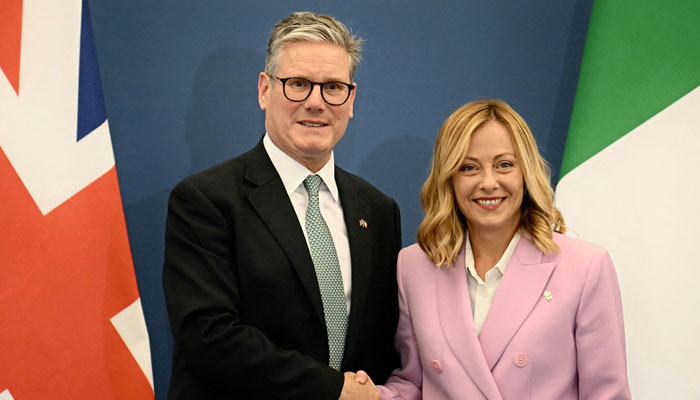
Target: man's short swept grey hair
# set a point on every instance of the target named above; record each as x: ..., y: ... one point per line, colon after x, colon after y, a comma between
x: 311, y: 27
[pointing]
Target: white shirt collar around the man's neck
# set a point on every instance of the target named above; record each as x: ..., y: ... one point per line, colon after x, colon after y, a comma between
x: 293, y: 173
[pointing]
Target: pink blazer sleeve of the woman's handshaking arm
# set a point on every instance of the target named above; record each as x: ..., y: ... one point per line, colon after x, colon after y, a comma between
x: 406, y: 382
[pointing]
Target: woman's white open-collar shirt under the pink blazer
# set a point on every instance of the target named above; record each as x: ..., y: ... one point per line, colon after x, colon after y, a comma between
x: 481, y: 293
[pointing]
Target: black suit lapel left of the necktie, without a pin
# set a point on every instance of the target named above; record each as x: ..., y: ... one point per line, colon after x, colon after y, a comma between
x: 269, y: 199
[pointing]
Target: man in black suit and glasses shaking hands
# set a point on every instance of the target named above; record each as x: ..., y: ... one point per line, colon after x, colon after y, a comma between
x: 279, y: 266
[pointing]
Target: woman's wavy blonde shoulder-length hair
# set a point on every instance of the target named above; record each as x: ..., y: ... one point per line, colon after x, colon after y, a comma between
x: 441, y: 234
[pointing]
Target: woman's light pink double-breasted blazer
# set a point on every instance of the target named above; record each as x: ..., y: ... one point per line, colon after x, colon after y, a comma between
x: 571, y: 346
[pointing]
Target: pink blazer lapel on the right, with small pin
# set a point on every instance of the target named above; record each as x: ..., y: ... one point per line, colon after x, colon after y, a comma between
x: 522, y: 286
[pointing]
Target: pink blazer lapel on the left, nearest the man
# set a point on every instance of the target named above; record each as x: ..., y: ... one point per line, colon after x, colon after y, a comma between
x: 454, y: 310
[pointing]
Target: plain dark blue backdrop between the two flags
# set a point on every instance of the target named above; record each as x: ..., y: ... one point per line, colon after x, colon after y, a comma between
x: 180, y: 87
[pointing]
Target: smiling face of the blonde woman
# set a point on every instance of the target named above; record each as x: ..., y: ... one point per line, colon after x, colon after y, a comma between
x: 489, y: 184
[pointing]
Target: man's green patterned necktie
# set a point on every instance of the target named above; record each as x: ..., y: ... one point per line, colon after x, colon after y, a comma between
x: 330, y: 281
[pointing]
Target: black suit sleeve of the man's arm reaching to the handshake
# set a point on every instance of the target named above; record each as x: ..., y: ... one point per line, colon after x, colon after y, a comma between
x: 202, y: 298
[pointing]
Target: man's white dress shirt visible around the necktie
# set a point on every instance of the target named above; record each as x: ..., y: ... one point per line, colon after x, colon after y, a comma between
x: 293, y: 175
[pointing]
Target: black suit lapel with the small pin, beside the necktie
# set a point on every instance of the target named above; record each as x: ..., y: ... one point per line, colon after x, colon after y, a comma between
x: 354, y: 209
